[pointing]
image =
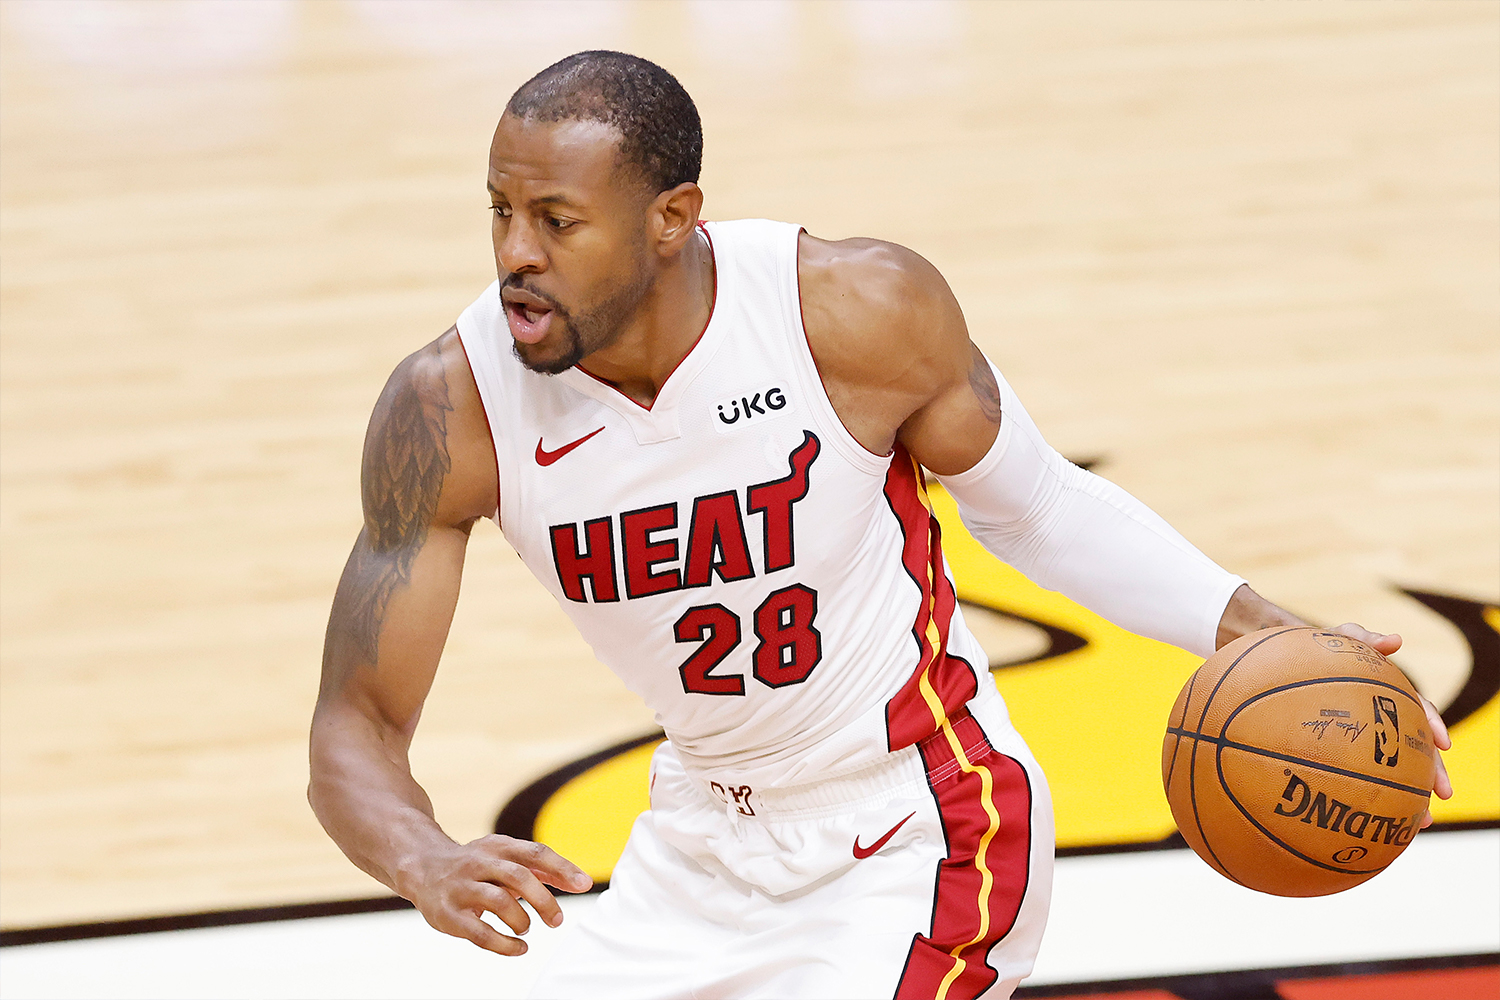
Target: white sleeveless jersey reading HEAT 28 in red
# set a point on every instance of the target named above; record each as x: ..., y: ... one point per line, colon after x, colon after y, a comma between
x: 775, y: 591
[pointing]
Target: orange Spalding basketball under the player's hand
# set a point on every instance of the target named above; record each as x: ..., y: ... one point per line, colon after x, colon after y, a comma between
x: 1298, y: 762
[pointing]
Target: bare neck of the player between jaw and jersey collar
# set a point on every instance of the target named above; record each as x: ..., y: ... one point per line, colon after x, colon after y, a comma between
x: 667, y: 326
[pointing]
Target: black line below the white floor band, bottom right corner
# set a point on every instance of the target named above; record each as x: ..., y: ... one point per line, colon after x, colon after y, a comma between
x: 1255, y: 984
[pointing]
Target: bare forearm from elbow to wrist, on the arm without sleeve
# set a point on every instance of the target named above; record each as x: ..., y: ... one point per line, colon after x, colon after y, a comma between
x: 364, y: 794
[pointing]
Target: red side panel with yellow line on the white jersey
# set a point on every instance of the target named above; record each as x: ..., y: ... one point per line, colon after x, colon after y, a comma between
x: 913, y: 714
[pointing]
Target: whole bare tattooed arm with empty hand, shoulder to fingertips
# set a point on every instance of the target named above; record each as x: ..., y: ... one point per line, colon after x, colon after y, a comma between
x: 428, y: 476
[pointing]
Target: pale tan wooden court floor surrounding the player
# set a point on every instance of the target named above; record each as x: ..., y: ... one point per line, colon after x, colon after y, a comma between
x: 1247, y: 257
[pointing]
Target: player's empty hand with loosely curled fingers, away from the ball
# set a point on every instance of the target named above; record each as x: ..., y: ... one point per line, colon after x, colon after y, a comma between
x: 452, y: 888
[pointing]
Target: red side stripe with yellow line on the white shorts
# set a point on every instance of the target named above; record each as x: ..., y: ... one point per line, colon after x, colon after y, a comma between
x: 983, y: 879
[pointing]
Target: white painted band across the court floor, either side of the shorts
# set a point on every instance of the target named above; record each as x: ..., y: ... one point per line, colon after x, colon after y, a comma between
x: 1117, y: 918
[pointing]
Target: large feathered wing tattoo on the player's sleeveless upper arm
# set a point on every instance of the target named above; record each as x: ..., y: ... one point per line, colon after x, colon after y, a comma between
x: 406, y: 463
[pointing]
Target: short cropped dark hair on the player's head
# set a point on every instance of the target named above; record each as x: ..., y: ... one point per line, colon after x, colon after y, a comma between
x: 662, y: 137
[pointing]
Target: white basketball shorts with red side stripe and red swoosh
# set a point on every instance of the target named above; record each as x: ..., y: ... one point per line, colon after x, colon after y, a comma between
x: 925, y: 878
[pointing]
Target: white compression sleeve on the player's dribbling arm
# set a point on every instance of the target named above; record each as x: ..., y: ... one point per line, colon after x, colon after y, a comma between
x: 1076, y: 533
